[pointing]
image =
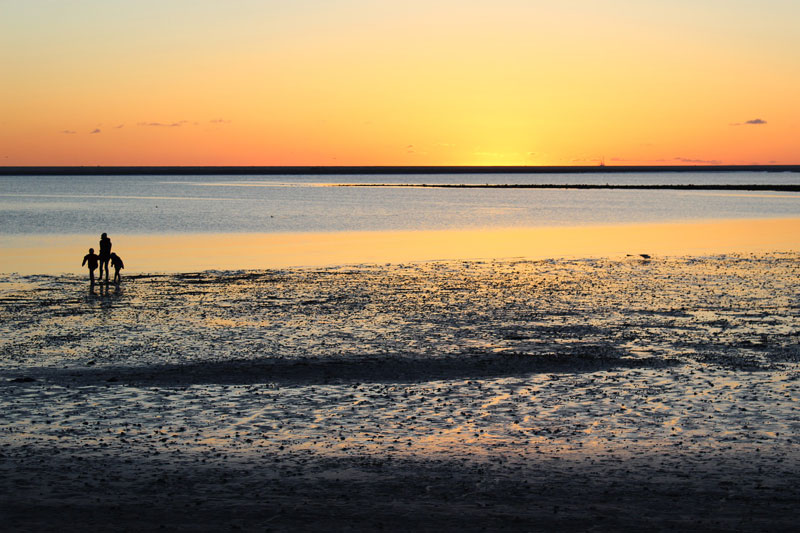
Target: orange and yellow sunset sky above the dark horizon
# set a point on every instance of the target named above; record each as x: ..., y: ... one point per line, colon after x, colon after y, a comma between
x: 417, y: 82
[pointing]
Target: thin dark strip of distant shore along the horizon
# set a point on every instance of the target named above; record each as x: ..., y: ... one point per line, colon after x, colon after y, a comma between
x: 344, y: 170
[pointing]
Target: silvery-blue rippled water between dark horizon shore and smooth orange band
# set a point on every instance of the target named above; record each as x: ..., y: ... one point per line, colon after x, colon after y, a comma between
x: 275, y: 204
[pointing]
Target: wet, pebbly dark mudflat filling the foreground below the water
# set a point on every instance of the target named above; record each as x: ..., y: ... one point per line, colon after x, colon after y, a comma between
x: 520, y: 395
